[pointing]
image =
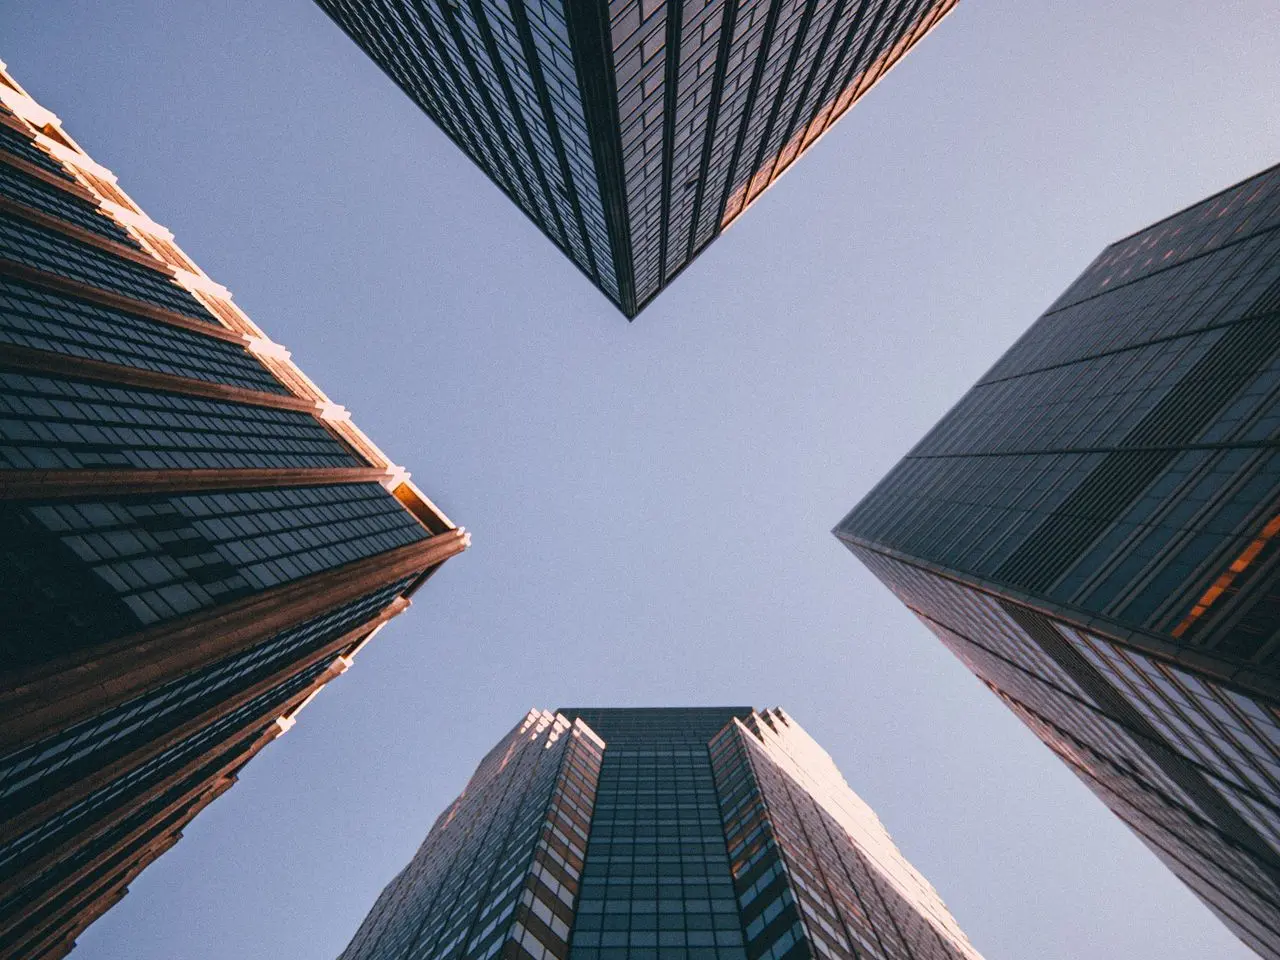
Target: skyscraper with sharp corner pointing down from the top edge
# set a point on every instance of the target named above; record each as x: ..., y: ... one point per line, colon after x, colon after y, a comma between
x: 633, y: 132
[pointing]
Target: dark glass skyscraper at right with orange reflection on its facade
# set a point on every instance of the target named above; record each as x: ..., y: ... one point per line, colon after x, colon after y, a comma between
x: 1094, y: 532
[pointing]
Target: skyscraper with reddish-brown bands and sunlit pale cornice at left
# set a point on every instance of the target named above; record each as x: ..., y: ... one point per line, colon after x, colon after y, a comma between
x: 194, y: 540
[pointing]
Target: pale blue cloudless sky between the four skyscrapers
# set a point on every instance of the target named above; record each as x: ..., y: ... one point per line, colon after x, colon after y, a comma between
x: 651, y: 502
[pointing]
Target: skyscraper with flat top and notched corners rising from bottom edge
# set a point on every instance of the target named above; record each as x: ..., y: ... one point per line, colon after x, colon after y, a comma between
x: 701, y: 834
